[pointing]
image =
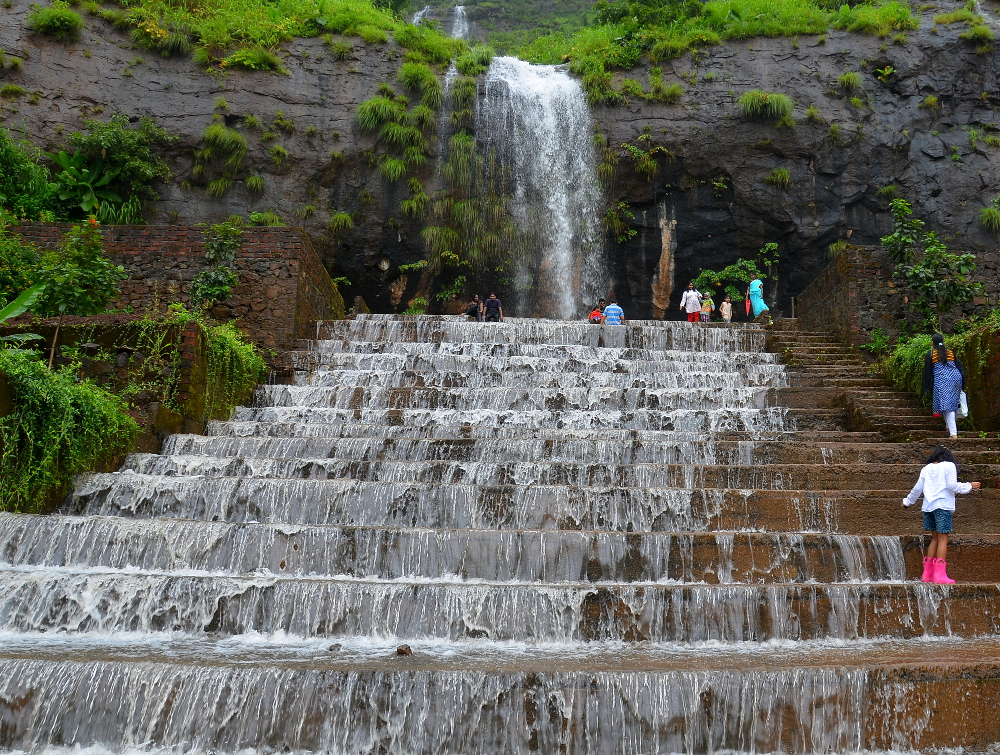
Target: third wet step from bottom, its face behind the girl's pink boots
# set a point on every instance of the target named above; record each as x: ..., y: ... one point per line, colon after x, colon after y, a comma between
x: 491, y: 555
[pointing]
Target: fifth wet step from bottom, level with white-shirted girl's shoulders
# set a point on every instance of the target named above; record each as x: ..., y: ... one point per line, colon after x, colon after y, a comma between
x: 687, y: 476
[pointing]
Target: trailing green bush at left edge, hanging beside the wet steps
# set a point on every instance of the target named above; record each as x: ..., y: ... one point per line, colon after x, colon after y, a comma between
x: 60, y: 427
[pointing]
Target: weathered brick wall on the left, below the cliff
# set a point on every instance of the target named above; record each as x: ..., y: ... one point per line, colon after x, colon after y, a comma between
x: 283, y: 284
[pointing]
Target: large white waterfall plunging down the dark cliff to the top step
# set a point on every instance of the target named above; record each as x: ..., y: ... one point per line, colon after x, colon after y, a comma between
x: 537, y: 121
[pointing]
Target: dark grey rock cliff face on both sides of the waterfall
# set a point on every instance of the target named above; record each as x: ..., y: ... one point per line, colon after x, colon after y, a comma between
x: 707, y: 204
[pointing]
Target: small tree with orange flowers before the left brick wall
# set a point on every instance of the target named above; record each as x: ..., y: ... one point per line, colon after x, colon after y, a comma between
x: 78, y: 278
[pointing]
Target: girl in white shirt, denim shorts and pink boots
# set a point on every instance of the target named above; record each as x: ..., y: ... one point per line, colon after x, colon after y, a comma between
x: 938, y: 482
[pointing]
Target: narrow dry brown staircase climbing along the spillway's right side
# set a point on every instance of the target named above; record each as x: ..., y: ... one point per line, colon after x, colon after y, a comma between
x: 816, y: 360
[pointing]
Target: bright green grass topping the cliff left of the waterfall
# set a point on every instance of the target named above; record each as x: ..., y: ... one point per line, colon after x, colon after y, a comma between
x: 217, y: 28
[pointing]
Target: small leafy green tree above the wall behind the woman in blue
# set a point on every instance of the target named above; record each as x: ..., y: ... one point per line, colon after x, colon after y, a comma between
x: 938, y: 278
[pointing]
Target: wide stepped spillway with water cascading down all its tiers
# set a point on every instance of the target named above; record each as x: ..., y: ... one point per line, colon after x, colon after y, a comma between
x: 650, y: 538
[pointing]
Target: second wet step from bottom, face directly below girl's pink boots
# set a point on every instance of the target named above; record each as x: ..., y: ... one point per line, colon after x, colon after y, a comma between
x: 67, y: 600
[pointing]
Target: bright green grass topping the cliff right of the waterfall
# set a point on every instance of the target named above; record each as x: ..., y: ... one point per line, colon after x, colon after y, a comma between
x: 627, y: 31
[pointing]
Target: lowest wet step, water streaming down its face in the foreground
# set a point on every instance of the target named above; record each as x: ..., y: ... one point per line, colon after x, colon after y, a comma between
x: 227, y: 708
